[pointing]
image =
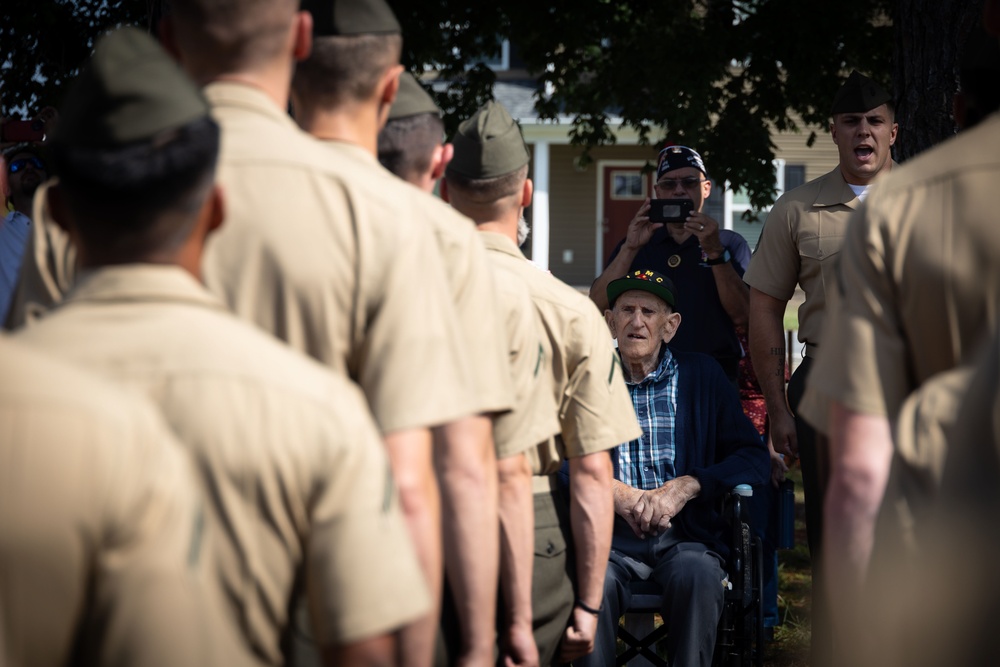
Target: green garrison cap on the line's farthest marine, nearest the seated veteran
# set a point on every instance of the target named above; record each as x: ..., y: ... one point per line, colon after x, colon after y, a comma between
x: 487, y: 145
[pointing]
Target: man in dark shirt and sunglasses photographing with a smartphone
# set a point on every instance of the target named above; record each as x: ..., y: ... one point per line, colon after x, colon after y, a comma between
x: 705, y: 262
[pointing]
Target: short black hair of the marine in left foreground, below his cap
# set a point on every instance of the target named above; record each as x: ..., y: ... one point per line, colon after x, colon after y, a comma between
x: 128, y: 201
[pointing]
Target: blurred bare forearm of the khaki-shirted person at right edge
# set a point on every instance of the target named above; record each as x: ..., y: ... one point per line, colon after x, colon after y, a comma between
x: 860, y: 457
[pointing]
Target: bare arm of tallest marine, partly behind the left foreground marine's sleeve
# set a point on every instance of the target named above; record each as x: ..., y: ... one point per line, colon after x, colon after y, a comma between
x: 411, y: 455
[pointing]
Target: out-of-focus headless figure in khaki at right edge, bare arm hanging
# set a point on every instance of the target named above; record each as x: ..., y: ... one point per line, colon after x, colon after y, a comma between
x: 919, y: 289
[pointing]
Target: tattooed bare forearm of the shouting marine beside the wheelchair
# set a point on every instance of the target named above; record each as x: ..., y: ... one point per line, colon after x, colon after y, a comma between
x: 767, y: 347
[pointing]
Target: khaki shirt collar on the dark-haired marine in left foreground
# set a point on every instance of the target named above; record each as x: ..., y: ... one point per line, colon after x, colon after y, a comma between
x: 141, y: 283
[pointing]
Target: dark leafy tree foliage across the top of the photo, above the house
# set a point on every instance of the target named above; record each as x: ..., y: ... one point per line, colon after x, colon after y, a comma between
x: 716, y: 74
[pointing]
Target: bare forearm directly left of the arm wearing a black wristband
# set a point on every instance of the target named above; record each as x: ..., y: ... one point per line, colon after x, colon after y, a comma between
x: 517, y: 538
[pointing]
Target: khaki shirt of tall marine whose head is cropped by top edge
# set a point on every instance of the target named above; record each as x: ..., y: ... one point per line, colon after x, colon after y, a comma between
x: 318, y: 255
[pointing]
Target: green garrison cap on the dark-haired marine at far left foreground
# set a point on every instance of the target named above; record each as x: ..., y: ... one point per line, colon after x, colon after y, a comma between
x: 130, y: 90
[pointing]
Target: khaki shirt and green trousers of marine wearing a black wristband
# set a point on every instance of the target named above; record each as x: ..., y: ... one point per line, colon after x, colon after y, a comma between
x: 595, y: 414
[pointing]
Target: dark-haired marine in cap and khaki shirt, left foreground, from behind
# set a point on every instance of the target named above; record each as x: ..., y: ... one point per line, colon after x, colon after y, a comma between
x: 299, y: 485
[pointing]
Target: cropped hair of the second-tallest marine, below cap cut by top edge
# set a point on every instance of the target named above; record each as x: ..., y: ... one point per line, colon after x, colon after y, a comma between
x: 345, y: 69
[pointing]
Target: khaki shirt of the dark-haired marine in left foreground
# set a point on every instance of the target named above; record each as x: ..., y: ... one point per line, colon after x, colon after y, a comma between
x: 287, y: 452
